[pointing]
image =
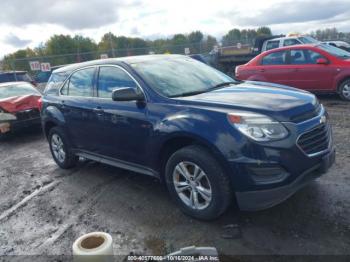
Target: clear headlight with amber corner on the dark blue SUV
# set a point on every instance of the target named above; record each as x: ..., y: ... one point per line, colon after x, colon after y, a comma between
x: 258, y: 127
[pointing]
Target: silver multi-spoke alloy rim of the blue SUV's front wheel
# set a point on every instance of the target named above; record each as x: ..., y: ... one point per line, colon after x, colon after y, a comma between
x: 192, y: 185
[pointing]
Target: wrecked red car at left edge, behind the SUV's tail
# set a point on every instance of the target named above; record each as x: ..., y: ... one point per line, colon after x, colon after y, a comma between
x: 20, y: 104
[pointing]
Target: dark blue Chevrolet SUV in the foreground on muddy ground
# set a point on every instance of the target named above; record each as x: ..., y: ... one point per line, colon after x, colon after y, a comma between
x: 210, y: 138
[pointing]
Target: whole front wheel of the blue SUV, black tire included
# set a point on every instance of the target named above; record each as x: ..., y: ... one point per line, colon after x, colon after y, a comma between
x: 197, y: 183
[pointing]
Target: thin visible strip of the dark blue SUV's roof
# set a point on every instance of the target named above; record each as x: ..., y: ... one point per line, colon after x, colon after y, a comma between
x: 127, y: 60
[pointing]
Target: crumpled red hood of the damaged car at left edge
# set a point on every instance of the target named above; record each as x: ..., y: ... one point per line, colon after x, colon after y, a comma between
x: 19, y: 103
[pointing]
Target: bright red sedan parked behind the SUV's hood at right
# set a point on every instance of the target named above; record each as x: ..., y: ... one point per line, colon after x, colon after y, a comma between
x: 316, y: 68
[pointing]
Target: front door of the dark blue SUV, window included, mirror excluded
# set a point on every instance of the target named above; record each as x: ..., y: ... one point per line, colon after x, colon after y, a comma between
x: 126, y: 129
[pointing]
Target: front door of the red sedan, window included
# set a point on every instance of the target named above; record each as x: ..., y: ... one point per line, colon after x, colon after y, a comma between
x: 308, y: 74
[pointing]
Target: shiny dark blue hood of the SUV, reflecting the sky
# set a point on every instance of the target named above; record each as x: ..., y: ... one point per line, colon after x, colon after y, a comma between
x: 281, y: 102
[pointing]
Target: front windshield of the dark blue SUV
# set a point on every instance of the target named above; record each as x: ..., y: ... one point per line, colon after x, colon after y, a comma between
x: 180, y: 76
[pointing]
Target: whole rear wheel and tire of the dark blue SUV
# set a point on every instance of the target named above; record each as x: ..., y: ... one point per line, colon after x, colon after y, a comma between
x: 60, y: 149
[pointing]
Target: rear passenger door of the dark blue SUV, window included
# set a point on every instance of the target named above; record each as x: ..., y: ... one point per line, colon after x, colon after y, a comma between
x: 81, y: 110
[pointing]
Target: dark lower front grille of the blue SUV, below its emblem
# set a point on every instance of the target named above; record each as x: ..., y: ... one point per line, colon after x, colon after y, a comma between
x: 315, y: 140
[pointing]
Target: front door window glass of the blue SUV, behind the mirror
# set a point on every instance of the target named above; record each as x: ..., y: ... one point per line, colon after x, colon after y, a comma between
x: 111, y: 78
